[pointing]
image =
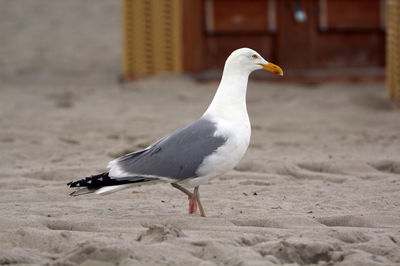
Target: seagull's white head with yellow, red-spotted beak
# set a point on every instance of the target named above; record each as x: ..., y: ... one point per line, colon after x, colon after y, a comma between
x: 245, y: 59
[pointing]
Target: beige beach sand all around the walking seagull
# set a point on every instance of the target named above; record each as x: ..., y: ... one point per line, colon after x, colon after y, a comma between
x: 319, y: 184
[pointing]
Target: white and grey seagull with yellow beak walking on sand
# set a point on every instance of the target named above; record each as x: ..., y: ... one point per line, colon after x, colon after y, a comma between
x: 192, y: 155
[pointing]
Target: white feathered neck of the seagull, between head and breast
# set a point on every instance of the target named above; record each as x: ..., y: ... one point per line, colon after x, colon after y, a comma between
x: 230, y: 99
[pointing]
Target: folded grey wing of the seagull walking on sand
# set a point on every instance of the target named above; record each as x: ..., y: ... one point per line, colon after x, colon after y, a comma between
x: 176, y: 156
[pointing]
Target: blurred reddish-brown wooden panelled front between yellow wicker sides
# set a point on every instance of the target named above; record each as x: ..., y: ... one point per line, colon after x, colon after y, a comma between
x: 309, y: 38
